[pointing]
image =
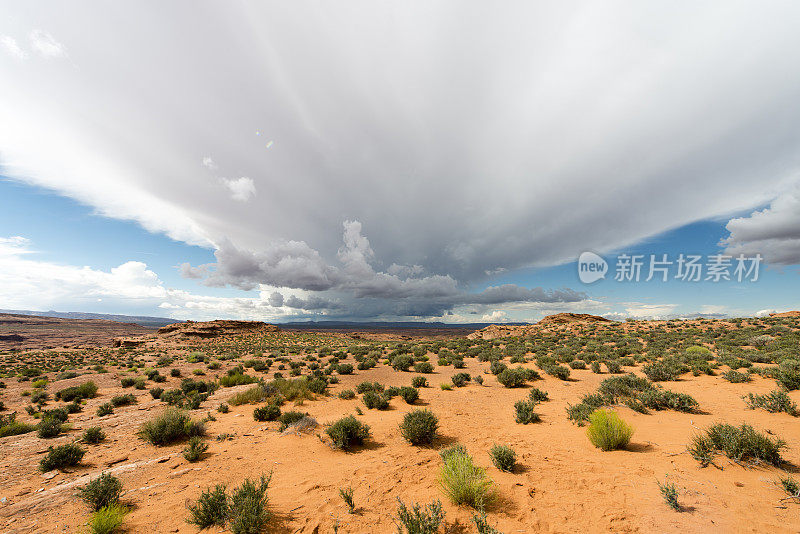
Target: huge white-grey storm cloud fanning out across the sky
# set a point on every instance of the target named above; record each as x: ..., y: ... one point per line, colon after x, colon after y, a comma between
x: 514, y: 148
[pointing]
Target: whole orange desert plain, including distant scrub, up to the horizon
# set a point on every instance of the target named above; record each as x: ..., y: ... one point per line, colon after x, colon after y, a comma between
x: 560, y: 481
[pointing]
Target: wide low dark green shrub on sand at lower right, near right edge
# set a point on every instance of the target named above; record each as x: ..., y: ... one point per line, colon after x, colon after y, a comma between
x: 743, y: 443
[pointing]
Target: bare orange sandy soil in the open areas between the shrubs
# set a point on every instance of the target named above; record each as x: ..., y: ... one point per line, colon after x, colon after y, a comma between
x: 563, y: 484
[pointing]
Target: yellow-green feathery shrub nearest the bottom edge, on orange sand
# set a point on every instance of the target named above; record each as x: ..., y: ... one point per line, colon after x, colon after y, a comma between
x: 464, y: 482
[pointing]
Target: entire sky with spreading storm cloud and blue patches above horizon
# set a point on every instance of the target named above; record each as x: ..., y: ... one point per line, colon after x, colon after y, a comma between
x: 436, y: 161
